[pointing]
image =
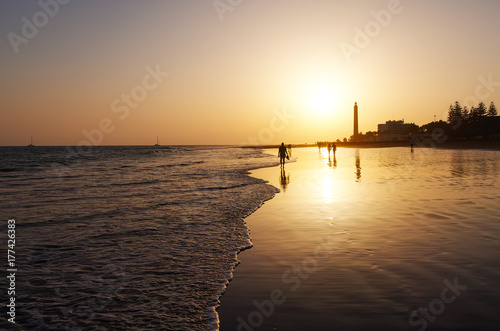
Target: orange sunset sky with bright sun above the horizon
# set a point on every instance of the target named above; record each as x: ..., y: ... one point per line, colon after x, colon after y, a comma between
x: 122, y: 72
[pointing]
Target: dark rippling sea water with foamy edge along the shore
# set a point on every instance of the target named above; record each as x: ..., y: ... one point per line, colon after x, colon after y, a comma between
x: 126, y: 238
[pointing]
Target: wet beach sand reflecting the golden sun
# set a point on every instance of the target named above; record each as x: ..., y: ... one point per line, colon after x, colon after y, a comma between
x: 362, y: 241
